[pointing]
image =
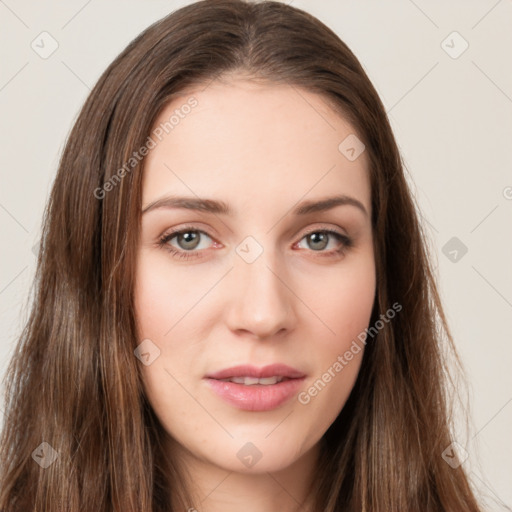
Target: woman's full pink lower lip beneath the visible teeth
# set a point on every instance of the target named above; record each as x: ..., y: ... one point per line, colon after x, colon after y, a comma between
x: 258, y: 397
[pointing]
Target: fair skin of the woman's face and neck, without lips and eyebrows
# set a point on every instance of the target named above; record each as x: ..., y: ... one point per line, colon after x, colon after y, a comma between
x: 262, y: 149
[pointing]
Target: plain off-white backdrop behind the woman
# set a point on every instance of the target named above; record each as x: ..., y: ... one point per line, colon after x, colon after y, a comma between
x: 443, y: 72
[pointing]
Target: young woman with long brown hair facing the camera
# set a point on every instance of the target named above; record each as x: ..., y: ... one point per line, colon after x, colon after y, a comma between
x: 235, y: 305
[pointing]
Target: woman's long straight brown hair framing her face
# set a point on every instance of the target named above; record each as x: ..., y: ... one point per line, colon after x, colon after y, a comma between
x: 74, y: 381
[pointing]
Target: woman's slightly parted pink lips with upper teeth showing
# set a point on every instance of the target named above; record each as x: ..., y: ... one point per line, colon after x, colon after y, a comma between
x: 256, y: 389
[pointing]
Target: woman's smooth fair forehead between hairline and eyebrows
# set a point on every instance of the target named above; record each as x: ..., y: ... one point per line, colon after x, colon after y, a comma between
x: 247, y: 143
